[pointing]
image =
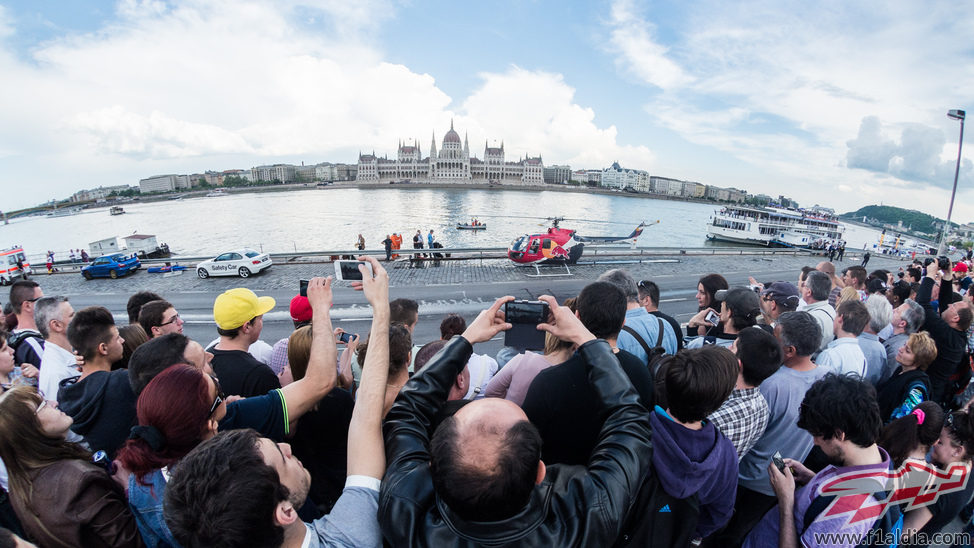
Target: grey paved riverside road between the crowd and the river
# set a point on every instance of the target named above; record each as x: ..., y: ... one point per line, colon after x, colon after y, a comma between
x: 454, y: 286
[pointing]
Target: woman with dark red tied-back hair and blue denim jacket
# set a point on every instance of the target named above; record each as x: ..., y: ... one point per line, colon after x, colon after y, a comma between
x: 180, y: 408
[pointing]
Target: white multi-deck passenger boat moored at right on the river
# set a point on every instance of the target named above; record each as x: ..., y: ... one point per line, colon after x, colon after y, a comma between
x: 773, y: 226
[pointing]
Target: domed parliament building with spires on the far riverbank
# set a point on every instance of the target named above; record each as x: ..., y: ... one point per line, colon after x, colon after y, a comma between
x: 452, y: 164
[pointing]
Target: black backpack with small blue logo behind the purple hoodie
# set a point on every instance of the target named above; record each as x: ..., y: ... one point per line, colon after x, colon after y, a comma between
x: 656, y: 518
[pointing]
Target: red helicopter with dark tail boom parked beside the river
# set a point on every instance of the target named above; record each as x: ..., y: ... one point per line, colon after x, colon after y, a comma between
x: 560, y: 245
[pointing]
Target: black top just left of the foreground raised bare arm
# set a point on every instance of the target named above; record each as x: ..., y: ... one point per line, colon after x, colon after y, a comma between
x: 321, y: 443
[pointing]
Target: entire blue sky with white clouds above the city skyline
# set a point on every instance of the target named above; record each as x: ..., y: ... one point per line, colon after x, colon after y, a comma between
x: 838, y: 103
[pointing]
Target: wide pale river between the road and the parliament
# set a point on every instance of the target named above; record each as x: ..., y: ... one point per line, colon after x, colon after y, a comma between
x: 332, y: 218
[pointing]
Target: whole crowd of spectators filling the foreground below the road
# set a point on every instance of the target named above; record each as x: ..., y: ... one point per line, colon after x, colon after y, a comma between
x: 627, y: 429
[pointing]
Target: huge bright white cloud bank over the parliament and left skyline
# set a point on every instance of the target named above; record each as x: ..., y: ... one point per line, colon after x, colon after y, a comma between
x: 192, y: 85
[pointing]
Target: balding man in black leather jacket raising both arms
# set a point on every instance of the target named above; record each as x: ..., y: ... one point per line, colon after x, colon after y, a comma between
x: 483, y: 482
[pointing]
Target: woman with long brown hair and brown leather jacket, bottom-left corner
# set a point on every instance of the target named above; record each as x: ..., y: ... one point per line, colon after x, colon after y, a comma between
x: 62, y: 499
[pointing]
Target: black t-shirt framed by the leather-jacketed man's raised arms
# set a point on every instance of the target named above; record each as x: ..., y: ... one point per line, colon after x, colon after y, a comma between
x: 563, y: 406
